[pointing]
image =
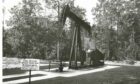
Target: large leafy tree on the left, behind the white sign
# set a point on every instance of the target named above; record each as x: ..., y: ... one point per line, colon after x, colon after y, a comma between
x: 28, y: 30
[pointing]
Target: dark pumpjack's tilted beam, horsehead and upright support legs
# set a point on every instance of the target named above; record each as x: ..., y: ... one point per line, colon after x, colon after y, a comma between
x: 76, y: 45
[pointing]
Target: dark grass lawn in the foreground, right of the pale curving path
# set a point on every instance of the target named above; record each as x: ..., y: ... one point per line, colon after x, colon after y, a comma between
x: 122, y: 75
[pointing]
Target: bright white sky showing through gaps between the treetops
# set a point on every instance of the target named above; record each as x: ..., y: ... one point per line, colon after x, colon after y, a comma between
x: 86, y: 4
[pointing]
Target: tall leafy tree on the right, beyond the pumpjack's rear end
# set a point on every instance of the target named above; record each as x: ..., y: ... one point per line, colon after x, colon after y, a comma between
x: 121, y: 16
